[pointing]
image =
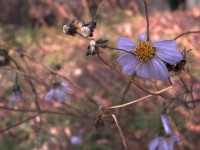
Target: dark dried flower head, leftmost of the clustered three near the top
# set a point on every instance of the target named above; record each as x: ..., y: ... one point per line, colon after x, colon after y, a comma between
x: 70, y: 28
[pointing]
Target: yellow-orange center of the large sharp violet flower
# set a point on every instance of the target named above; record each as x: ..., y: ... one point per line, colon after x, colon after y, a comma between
x: 144, y: 51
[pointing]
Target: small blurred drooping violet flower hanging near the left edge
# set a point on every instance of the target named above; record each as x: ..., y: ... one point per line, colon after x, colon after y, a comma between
x: 17, y: 94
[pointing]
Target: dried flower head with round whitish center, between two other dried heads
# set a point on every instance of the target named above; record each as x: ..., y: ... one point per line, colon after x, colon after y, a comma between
x: 88, y: 28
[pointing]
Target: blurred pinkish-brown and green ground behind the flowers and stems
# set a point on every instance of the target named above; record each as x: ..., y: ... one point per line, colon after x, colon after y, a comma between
x: 34, y: 27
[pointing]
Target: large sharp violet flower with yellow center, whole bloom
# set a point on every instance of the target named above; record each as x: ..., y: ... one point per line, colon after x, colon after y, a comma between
x: 148, y: 58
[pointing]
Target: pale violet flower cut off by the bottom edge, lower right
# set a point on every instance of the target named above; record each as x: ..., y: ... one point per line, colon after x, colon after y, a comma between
x: 159, y: 143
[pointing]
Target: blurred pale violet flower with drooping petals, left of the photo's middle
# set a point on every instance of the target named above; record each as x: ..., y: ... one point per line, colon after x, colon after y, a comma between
x: 58, y: 92
